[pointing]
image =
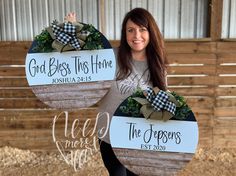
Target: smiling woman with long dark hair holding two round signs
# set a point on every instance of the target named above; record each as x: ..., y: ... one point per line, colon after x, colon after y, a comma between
x: 141, y: 63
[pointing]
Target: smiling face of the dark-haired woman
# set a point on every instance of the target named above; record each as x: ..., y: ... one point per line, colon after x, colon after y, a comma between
x: 137, y: 37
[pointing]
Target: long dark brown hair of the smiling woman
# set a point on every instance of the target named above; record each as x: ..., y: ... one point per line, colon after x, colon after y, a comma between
x: 156, y: 58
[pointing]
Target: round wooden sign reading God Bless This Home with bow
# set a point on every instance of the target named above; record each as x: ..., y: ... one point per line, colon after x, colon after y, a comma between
x: 70, y: 66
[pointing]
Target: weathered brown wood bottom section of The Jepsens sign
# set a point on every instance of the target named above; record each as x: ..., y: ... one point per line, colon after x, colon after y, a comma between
x: 152, y: 162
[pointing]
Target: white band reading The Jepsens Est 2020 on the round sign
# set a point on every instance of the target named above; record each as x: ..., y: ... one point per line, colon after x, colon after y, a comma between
x: 155, y: 135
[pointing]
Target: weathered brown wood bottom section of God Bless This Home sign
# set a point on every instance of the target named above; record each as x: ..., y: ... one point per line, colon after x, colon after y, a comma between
x: 72, y: 96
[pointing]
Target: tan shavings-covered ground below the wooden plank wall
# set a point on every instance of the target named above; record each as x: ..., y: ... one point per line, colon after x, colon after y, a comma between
x: 13, y: 161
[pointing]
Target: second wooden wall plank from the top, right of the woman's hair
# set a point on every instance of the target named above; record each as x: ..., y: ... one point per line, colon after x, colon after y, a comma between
x: 196, y: 58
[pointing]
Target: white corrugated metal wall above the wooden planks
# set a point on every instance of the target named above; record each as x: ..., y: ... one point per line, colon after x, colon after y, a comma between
x: 23, y: 19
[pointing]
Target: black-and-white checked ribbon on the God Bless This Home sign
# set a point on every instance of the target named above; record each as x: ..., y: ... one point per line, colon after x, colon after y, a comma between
x: 66, y: 35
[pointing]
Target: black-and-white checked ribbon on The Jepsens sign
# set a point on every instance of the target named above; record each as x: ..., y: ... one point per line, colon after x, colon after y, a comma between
x: 160, y: 101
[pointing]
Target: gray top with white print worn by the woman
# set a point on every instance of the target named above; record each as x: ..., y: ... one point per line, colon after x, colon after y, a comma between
x: 118, y: 92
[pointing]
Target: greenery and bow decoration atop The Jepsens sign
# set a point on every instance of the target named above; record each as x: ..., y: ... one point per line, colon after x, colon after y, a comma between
x: 156, y: 104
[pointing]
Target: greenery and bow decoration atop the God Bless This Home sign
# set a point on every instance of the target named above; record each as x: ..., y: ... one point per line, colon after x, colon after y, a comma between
x: 68, y: 36
